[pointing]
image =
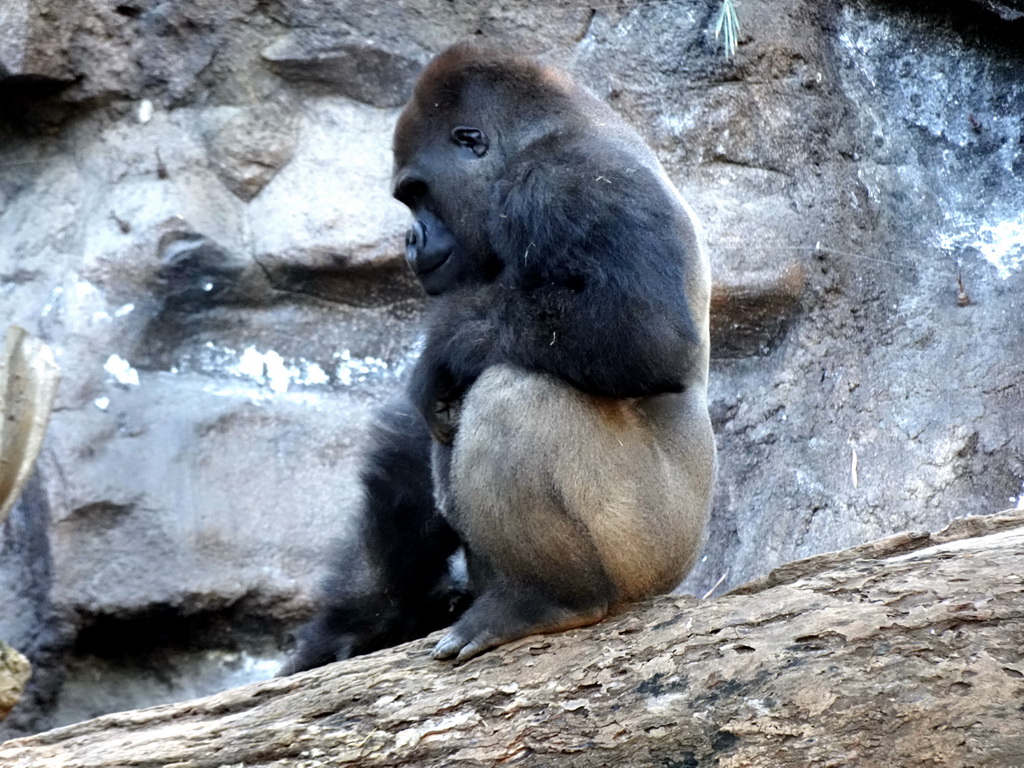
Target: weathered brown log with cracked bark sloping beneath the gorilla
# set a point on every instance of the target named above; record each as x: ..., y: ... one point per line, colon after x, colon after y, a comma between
x: 904, y: 653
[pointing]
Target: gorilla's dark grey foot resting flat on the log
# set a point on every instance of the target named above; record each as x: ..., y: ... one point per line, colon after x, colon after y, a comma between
x: 493, y: 620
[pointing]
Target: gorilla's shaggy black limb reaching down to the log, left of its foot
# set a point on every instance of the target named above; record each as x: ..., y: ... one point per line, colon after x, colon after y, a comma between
x: 392, y: 583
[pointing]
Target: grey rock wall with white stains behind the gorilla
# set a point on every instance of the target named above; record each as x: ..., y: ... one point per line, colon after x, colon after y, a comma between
x: 195, y: 216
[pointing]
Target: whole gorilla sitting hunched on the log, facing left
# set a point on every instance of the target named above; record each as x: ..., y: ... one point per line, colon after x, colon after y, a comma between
x: 553, y: 437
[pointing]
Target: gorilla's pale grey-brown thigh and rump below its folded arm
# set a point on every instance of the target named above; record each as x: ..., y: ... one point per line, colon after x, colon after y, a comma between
x: 581, y: 490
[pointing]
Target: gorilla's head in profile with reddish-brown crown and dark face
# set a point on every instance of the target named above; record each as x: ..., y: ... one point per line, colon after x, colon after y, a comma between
x: 474, y: 115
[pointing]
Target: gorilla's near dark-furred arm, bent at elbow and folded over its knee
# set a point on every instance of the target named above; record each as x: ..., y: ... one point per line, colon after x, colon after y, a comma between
x: 592, y: 290
